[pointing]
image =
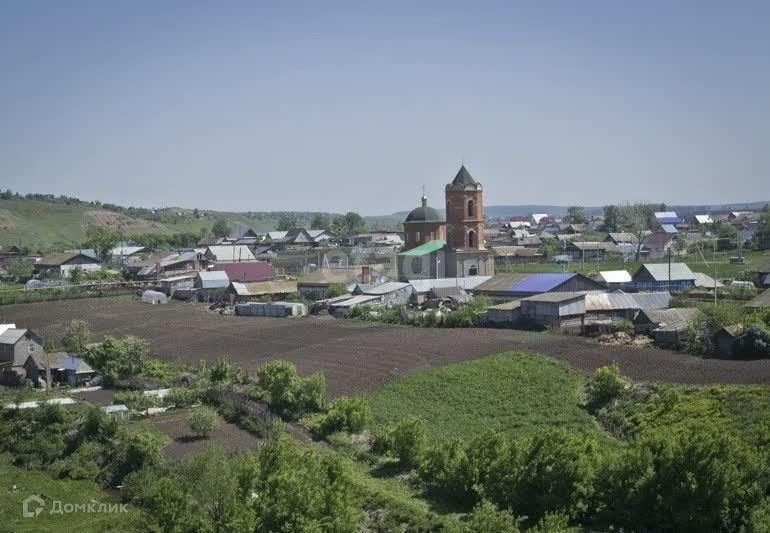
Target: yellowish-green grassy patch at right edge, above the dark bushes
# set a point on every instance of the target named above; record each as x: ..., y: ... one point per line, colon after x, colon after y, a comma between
x: 742, y: 410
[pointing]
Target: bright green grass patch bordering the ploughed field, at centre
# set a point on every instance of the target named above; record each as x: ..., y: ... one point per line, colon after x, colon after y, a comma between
x: 513, y: 392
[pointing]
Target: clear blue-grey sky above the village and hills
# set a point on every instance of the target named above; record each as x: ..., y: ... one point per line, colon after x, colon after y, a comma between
x: 326, y: 106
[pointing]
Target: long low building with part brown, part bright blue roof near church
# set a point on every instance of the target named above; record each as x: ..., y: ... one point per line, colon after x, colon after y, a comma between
x: 508, y: 286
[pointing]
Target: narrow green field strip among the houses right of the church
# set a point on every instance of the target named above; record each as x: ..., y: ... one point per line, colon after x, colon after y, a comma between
x: 720, y: 260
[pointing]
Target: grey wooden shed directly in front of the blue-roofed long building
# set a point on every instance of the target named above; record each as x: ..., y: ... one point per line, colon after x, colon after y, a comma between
x: 563, y: 310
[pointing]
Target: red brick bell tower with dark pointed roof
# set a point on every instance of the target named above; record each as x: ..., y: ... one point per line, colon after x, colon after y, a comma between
x: 464, y: 213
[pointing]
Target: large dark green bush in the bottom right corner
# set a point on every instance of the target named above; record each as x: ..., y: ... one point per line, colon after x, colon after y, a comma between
x: 690, y: 480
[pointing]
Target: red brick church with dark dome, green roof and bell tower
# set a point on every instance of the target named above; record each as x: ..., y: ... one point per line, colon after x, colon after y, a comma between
x: 439, y: 248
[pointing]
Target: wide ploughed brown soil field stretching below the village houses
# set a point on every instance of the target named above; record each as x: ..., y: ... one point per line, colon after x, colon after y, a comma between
x: 356, y: 356
